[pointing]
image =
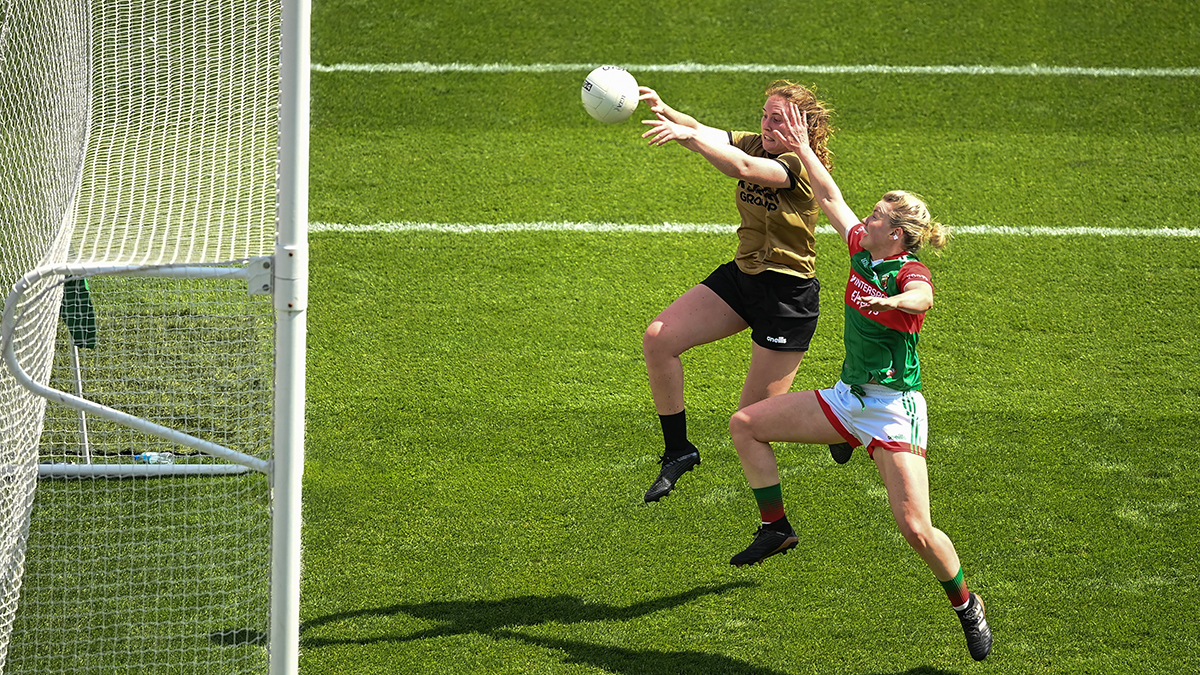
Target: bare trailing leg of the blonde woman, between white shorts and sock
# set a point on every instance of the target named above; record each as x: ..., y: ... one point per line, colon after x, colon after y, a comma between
x: 908, y: 483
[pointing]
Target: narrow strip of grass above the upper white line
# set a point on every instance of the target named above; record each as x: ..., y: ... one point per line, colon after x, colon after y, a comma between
x: 1065, y: 33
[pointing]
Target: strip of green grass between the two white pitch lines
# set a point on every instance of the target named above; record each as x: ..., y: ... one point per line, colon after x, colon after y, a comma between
x: 1061, y: 152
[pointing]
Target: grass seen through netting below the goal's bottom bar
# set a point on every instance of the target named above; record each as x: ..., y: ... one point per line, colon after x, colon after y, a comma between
x: 154, y: 574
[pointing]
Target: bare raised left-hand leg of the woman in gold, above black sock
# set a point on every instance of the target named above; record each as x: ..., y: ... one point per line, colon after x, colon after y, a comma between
x: 698, y: 318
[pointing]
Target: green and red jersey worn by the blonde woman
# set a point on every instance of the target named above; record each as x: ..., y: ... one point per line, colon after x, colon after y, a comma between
x: 881, y: 348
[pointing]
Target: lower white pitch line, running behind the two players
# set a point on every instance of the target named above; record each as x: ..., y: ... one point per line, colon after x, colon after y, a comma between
x: 711, y: 229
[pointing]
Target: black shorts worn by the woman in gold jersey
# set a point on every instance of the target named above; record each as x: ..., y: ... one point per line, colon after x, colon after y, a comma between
x: 782, y: 309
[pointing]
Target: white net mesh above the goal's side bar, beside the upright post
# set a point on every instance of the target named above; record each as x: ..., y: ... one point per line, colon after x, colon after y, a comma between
x: 185, y: 121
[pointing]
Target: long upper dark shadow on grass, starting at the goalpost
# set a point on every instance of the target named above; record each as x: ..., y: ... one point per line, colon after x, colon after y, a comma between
x: 459, y: 618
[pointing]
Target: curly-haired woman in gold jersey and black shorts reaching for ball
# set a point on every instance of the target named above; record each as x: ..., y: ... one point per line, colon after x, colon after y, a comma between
x: 771, y: 284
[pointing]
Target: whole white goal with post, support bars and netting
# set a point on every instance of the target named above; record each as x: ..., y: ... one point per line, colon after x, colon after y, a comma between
x: 154, y: 267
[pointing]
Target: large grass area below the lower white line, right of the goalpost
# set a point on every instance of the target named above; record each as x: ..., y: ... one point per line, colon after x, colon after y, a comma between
x: 477, y: 463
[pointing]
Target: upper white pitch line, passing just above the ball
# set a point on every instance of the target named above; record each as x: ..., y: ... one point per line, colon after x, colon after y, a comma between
x: 1030, y: 70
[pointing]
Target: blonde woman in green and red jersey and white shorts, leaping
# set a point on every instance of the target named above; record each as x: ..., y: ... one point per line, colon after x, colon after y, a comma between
x: 878, y: 402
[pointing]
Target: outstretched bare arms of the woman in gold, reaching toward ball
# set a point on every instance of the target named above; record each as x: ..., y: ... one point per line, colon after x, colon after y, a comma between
x: 712, y: 144
